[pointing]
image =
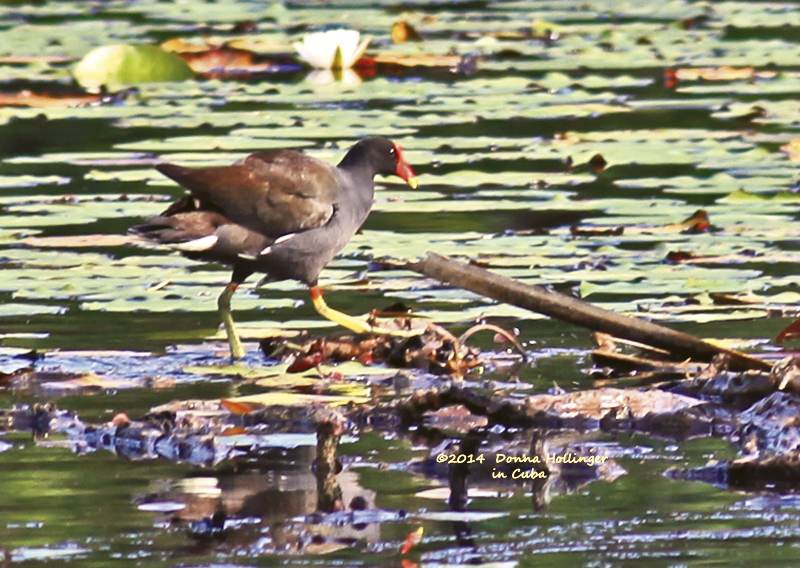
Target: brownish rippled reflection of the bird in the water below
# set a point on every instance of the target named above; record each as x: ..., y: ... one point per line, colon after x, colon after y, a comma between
x: 266, y: 509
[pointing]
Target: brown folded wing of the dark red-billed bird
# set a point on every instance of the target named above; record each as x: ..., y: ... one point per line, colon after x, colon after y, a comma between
x: 274, y: 192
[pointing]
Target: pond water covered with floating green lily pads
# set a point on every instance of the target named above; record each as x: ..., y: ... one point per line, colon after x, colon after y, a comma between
x: 691, y: 105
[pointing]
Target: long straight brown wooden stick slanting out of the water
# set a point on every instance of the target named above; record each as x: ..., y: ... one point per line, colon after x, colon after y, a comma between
x: 566, y: 308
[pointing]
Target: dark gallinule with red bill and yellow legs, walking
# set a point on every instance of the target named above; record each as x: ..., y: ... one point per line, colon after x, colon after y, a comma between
x: 279, y: 212
